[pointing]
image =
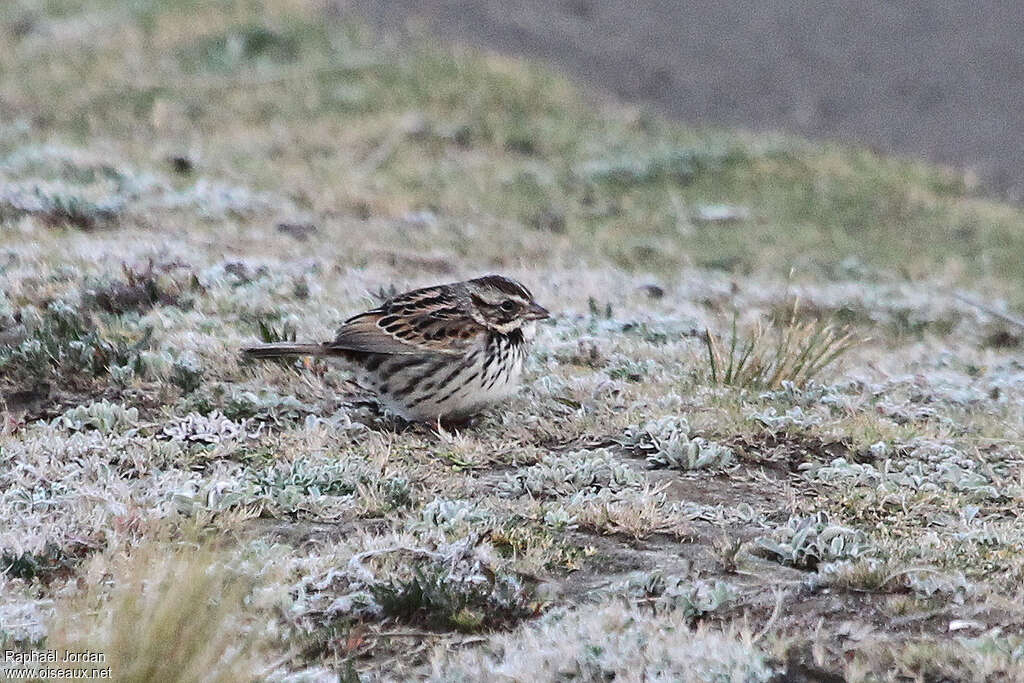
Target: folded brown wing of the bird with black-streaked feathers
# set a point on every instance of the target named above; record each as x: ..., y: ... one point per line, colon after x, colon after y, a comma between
x: 426, y: 321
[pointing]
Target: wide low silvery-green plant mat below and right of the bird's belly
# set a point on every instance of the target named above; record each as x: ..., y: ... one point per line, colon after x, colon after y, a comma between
x: 568, y: 474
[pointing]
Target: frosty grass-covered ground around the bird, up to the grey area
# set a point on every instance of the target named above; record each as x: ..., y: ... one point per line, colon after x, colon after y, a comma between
x: 179, y: 181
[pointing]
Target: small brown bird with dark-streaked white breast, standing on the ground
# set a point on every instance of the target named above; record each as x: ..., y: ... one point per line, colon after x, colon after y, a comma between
x: 441, y: 353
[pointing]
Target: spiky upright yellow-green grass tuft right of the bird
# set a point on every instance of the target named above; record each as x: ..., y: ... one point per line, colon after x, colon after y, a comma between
x: 796, y: 354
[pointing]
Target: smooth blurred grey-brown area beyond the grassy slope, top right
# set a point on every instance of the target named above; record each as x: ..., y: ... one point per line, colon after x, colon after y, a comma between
x: 916, y: 77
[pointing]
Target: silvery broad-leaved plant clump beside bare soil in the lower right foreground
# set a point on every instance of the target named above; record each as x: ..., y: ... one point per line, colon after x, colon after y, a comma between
x: 807, y: 542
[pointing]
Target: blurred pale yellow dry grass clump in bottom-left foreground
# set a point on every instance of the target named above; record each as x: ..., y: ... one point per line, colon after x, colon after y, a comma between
x: 165, y: 615
